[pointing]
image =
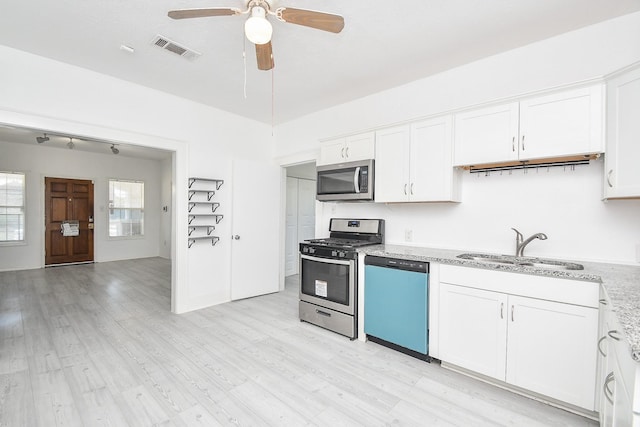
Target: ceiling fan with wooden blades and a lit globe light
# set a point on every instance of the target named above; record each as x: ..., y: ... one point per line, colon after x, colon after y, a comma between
x: 258, y: 29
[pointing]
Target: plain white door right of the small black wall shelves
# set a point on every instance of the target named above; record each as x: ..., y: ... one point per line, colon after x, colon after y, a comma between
x: 255, y: 228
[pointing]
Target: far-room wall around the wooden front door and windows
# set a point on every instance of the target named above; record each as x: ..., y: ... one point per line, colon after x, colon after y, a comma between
x: 38, y: 161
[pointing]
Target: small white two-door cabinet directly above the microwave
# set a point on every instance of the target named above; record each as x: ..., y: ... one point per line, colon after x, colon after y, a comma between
x: 348, y: 149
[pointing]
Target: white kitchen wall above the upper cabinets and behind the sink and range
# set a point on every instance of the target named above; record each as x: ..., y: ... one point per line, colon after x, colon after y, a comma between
x: 565, y: 205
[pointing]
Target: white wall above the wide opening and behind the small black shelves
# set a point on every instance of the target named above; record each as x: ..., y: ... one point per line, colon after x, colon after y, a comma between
x: 39, y: 93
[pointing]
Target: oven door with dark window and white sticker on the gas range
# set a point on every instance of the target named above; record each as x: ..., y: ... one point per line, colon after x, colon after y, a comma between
x: 325, y: 280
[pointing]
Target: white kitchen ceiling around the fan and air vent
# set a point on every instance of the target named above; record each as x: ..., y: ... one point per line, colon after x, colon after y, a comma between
x: 383, y: 45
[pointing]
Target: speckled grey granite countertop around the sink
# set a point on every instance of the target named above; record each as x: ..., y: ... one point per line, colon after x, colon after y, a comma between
x: 621, y: 282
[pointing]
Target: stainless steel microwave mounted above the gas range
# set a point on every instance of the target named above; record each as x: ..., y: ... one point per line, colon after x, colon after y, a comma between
x: 345, y: 181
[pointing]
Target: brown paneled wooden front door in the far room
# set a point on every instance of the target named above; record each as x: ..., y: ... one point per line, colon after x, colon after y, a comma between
x: 68, y: 200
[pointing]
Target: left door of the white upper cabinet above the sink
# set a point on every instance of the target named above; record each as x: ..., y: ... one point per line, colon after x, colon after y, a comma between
x: 486, y: 135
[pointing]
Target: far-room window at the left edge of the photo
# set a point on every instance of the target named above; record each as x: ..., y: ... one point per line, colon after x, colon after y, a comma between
x: 11, y: 207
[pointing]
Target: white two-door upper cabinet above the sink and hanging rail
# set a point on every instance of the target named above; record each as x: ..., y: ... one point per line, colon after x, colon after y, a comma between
x: 561, y: 124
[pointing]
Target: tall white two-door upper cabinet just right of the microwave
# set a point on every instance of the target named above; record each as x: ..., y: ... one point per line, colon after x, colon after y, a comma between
x: 414, y: 163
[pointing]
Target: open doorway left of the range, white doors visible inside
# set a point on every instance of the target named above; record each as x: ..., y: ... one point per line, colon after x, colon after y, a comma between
x: 300, y: 211
